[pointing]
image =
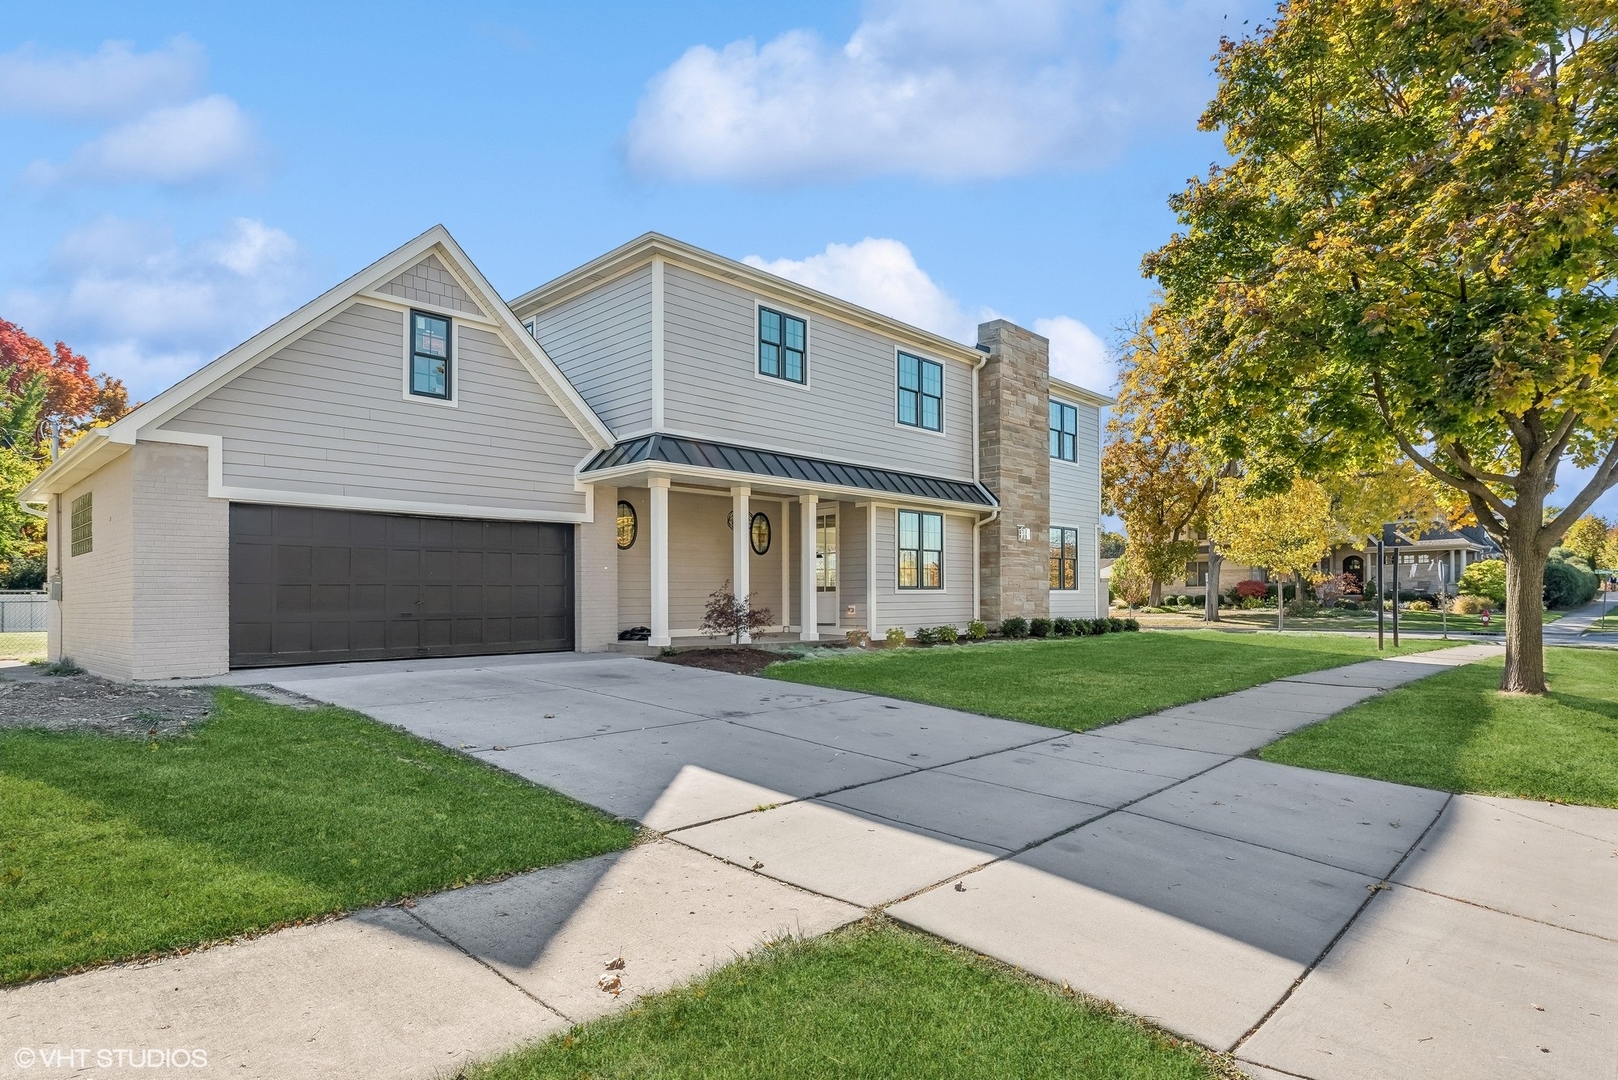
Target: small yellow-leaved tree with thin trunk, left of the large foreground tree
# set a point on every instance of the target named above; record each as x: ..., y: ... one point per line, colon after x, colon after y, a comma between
x: 1287, y: 532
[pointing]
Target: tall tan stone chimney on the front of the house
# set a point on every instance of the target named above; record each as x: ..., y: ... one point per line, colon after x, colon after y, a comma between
x: 1014, y: 454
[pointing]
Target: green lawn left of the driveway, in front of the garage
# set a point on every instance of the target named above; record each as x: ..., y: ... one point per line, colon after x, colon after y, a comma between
x: 263, y: 815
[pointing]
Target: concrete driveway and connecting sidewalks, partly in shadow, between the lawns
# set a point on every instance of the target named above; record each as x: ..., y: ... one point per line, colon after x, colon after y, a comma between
x: 1321, y: 925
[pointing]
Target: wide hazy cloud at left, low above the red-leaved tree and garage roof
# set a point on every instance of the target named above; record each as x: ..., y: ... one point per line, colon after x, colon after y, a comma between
x: 150, y: 310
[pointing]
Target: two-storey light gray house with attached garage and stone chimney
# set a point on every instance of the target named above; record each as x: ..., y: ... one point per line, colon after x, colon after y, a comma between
x: 413, y: 467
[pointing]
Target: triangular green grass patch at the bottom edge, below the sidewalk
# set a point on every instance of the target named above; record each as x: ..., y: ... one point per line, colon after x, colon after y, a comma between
x: 871, y: 1001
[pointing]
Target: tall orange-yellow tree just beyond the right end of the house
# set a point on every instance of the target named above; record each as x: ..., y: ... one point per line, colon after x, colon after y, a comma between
x: 1154, y: 480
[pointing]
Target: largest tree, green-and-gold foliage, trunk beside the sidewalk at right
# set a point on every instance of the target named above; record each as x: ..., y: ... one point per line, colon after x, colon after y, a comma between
x: 1413, y: 252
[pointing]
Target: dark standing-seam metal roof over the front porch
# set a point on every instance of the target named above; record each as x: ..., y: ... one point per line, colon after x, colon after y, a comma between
x: 731, y: 459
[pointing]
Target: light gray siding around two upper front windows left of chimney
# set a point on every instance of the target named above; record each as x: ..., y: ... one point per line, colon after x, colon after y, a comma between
x: 849, y: 409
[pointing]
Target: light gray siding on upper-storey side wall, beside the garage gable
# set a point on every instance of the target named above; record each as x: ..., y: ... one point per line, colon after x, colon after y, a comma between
x: 603, y: 342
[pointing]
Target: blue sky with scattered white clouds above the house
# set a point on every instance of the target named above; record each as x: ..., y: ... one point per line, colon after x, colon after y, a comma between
x: 177, y: 177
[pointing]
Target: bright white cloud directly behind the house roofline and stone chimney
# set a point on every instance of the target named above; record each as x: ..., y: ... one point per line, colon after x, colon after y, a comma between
x: 884, y: 276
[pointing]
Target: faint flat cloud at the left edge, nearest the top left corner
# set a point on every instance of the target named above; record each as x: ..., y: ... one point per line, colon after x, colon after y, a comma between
x: 112, y: 83
